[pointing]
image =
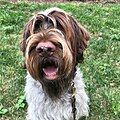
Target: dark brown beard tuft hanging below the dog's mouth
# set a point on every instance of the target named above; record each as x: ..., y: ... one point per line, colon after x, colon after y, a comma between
x: 54, y: 89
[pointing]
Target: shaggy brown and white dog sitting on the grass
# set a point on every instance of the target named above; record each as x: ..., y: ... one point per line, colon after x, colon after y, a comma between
x: 53, y: 44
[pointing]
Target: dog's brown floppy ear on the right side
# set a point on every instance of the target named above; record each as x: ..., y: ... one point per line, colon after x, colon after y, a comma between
x: 81, y: 37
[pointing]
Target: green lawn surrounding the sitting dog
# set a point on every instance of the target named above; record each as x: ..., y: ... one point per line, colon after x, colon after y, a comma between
x: 101, y: 66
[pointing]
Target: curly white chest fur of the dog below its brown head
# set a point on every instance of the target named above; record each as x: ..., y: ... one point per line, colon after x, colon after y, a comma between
x: 41, y: 107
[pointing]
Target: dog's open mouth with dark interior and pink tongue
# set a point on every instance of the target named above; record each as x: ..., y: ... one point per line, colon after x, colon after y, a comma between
x: 50, y: 69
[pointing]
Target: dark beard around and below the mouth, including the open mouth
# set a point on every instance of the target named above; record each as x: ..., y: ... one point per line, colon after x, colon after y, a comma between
x: 54, y: 84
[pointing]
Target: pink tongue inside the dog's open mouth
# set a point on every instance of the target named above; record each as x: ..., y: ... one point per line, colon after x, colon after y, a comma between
x: 50, y: 72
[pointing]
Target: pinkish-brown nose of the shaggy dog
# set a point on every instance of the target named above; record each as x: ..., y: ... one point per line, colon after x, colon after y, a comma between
x: 45, y: 47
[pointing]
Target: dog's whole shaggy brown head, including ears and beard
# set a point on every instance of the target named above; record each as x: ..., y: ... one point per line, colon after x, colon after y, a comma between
x: 53, y: 44
